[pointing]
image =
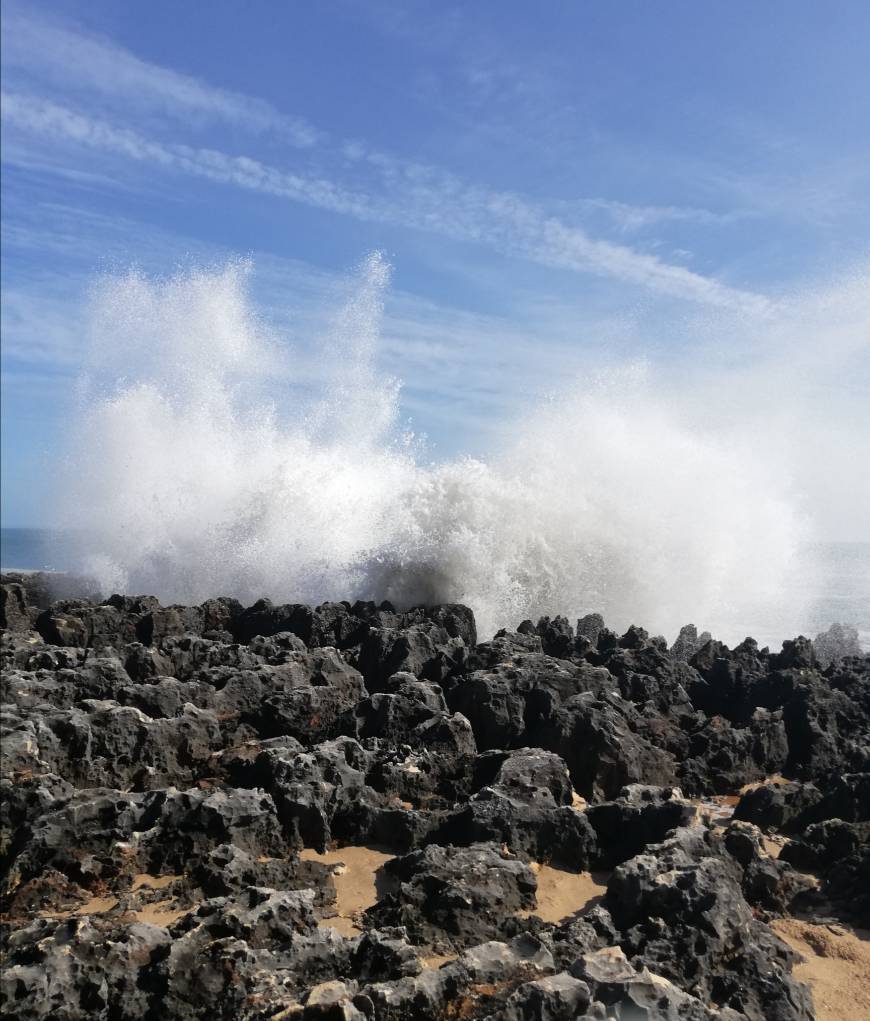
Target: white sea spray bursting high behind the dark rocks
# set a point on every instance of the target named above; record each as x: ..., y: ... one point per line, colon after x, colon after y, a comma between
x: 201, y: 467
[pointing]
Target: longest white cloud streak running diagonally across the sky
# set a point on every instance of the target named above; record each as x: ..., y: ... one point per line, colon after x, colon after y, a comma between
x: 418, y: 198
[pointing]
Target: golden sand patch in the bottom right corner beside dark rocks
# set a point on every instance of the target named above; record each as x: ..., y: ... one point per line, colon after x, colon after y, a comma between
x: 837, y: 965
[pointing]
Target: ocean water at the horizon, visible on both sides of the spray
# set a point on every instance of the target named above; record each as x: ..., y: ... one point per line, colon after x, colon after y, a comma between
x: 841, y: 572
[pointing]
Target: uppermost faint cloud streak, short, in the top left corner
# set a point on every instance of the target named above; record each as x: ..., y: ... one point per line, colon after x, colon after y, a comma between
x: 123, y: 80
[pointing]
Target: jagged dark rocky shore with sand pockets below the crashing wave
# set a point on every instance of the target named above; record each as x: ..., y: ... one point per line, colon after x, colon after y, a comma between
x: 348, y: 812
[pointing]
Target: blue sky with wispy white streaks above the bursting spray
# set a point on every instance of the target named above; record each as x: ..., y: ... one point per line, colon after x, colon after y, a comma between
x: 553, y: 186
